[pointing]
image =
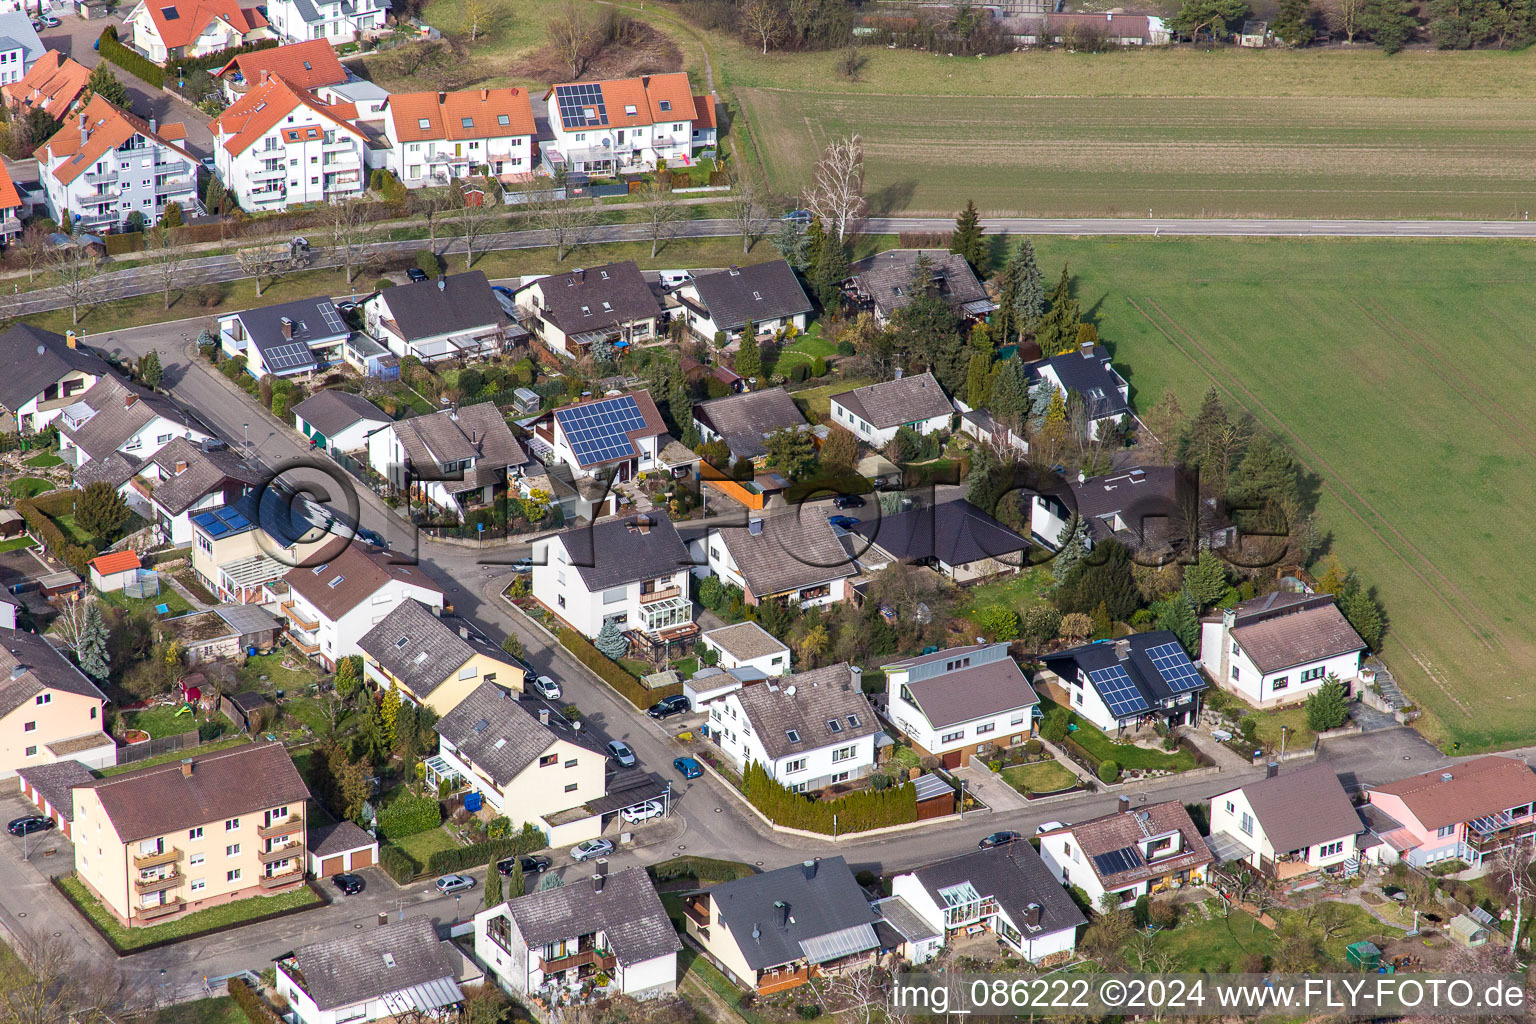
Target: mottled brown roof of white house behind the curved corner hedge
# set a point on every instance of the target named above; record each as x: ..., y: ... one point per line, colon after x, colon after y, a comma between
x: 807, y: 704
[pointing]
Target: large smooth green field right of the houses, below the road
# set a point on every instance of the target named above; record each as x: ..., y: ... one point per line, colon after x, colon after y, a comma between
x: 1394, y: 371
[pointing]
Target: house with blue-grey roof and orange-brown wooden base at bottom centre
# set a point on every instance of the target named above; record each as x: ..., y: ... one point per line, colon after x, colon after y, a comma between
x: 778, y: 931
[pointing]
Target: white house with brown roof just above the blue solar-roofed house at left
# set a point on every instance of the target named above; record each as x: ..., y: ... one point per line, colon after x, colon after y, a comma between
x: 185, y: 480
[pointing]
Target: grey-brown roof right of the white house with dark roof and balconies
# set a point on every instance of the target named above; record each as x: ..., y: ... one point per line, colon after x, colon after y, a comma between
x: 790, y: 552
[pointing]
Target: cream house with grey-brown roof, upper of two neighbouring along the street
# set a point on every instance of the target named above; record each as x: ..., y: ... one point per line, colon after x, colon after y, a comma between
x: 431, y: 661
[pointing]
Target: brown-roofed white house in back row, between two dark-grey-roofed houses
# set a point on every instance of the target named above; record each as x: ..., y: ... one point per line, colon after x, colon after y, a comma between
x: 609, y: 305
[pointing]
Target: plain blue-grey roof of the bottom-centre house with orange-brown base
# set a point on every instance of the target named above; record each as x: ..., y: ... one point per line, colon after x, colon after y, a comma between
x: 776, y: 914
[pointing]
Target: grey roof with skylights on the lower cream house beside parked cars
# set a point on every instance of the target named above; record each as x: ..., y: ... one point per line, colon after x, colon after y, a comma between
x: 502, y: 735
